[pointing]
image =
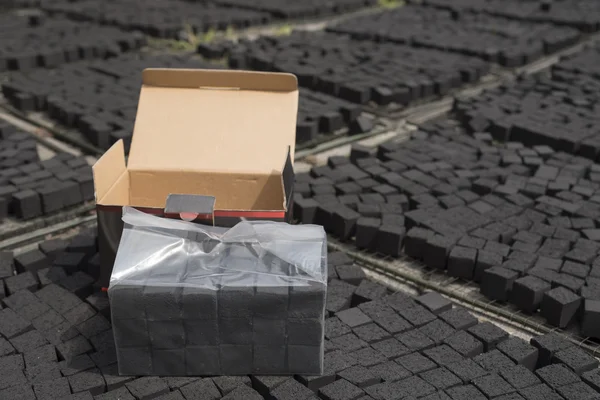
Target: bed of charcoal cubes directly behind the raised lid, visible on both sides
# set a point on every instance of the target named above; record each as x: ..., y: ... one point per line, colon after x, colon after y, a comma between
x: 100, y: 99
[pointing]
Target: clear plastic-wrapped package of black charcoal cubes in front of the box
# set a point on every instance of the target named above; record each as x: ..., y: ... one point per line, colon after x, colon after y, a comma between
x: 189, y: 299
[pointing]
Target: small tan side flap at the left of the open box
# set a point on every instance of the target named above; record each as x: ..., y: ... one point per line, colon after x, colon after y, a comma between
x: 108, y: 170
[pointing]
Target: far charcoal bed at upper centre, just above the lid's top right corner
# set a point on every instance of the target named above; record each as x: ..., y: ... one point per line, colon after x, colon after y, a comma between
x: 353, y: 70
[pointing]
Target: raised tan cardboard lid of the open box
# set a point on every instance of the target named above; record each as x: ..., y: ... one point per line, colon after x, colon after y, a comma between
x: 213, y: 120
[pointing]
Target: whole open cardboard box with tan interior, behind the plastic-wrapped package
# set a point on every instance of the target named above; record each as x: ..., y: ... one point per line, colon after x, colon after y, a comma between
x: 226, y: 134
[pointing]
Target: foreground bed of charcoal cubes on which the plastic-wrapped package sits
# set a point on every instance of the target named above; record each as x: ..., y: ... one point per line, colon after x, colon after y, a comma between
x: 378, y: 345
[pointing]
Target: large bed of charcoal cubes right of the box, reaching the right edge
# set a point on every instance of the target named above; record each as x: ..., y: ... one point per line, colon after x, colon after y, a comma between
x: 521, y: 221
